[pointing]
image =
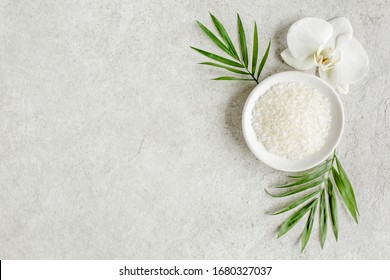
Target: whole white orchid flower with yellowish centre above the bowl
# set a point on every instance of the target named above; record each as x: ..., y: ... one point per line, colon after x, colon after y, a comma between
x: 330, y: 45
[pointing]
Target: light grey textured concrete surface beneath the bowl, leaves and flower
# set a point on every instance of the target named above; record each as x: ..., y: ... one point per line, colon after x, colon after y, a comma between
x: 114, y: 143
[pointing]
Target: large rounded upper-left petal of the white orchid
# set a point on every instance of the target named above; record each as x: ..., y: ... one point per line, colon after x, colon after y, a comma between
x: 306, y: 35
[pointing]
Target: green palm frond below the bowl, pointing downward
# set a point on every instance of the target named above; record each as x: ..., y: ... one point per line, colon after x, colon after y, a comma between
x: 320, y: 177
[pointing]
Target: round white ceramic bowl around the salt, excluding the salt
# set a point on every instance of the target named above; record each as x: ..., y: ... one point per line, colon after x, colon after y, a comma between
x: 278, y: 162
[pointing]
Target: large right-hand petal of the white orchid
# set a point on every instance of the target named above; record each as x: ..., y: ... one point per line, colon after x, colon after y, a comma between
x: 353, y: 64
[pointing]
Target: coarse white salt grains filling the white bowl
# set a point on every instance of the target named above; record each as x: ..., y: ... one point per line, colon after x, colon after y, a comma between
x: 292, y: 120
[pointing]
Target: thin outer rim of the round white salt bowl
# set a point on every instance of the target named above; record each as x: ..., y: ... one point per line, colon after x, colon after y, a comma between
x: 249, y: 139
